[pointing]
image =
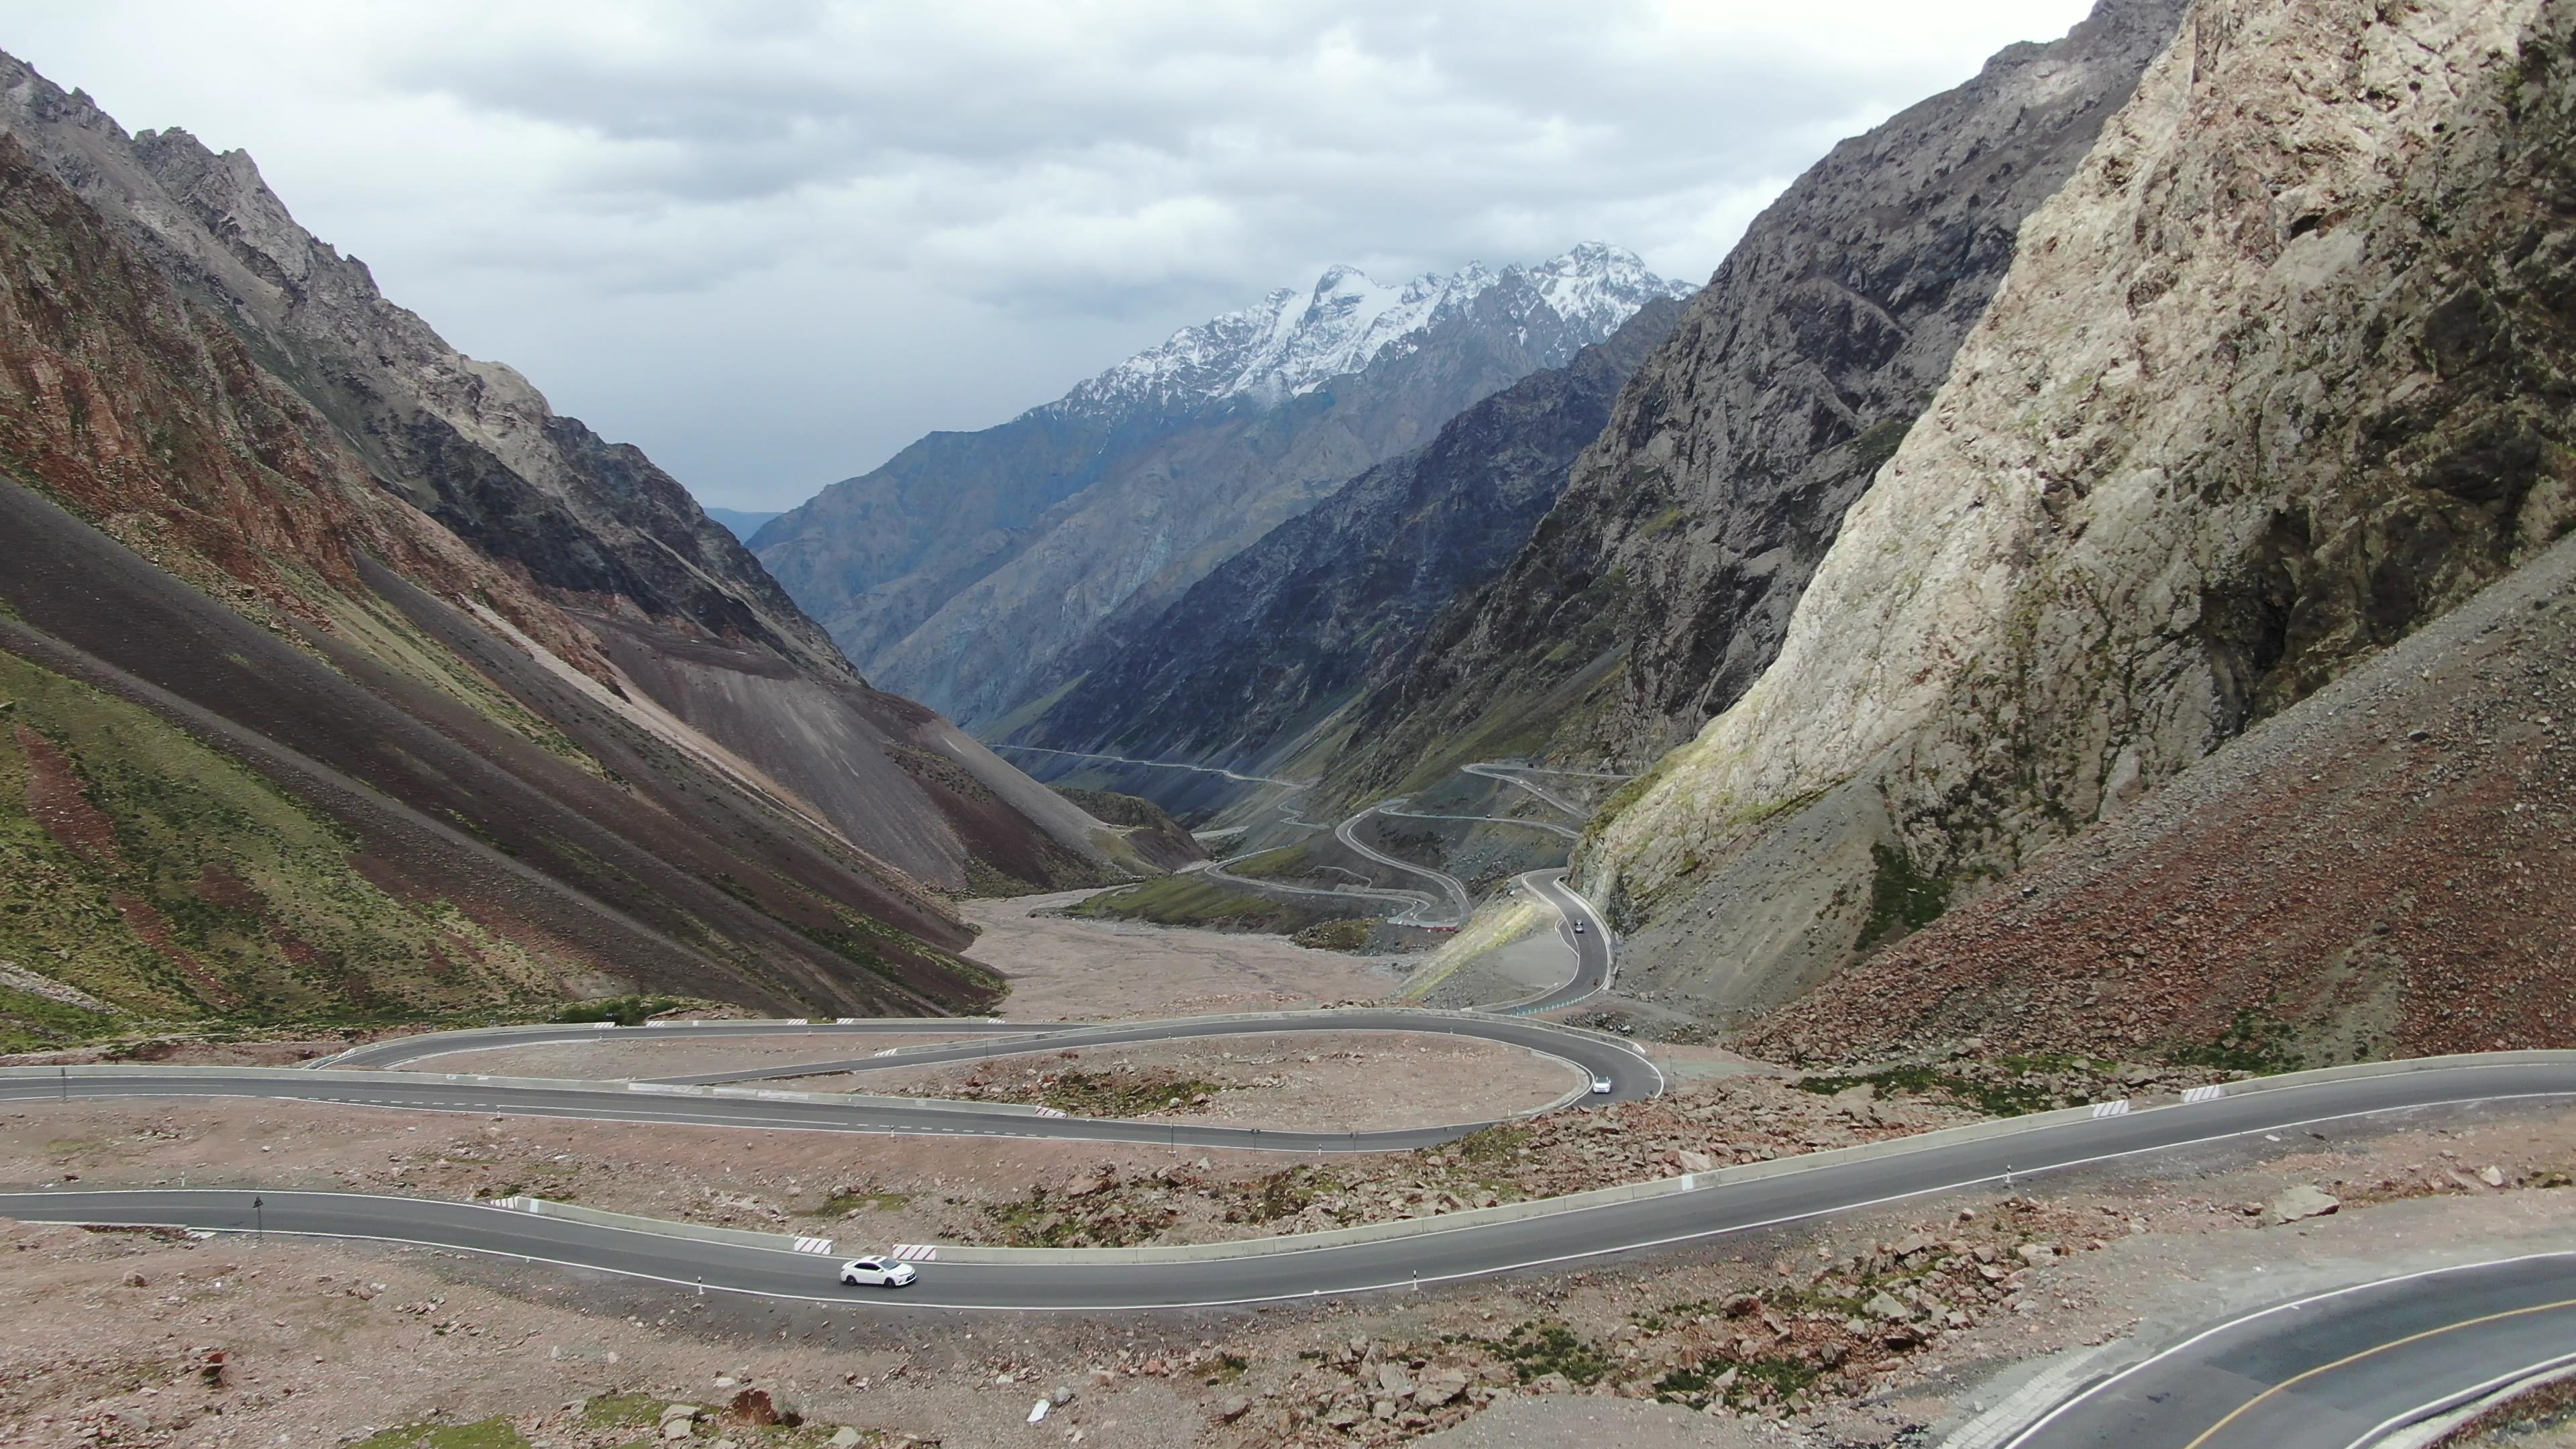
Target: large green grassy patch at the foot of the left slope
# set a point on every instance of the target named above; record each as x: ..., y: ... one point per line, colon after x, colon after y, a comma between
x: 202, y: 893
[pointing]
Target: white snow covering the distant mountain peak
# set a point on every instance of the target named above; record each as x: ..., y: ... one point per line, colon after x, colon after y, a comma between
x: 1297, y: 342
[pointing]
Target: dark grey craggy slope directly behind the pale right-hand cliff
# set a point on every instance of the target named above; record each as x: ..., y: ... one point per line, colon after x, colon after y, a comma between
x: 1660, y: 584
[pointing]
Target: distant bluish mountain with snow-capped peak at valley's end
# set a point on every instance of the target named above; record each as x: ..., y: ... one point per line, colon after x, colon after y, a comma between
x: 972, y: 563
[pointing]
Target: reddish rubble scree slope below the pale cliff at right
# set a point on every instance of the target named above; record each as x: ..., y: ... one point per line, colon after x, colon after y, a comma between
x: 2382, y: 870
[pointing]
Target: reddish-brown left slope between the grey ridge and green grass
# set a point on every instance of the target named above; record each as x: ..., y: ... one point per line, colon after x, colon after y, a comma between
x: 323, y: 636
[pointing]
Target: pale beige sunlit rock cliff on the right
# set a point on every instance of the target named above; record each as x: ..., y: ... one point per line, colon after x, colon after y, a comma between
x: 2276, y: 378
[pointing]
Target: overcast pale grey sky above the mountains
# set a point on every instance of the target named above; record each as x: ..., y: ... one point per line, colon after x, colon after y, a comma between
x: 774, y: 241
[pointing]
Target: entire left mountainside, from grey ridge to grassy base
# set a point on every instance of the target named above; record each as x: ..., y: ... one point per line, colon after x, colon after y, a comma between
x: 331, y: 695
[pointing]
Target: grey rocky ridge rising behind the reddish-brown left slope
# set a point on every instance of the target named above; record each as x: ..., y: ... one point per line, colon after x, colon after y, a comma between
x: 692, y: 636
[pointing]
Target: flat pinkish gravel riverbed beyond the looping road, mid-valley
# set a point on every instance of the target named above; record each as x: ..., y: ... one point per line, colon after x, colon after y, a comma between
x: 1104, y: 971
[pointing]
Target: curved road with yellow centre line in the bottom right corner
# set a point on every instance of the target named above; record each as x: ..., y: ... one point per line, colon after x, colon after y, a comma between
x: 2335, y: 1370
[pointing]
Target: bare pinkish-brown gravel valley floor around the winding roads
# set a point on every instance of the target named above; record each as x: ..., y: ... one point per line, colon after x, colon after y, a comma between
x: 107, y: 1337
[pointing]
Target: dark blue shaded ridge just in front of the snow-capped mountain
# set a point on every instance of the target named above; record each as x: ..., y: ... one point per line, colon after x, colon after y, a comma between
x: 1333, y: 602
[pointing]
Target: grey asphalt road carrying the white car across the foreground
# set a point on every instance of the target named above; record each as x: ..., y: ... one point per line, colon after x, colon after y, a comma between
x: 1284, y: 1270
